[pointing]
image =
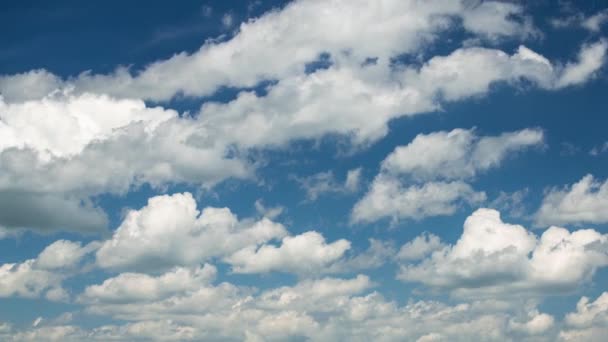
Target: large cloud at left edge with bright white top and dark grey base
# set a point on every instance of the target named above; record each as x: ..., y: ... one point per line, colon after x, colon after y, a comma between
x: 58, y: 151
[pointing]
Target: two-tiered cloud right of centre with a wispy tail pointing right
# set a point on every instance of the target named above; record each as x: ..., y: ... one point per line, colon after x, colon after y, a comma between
x: 444, y: 156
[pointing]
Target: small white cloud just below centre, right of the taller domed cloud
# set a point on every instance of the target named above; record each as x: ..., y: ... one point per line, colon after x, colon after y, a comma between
x: 307, y: 253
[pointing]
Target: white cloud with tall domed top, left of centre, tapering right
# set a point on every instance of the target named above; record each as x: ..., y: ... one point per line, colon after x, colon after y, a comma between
x: 169, y: 231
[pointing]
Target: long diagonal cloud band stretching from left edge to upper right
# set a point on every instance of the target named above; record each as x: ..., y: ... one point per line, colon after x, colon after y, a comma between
x: 58, y: 144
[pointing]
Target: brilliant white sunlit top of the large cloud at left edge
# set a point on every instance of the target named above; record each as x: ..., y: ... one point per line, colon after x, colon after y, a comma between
x: 63, y: 125
